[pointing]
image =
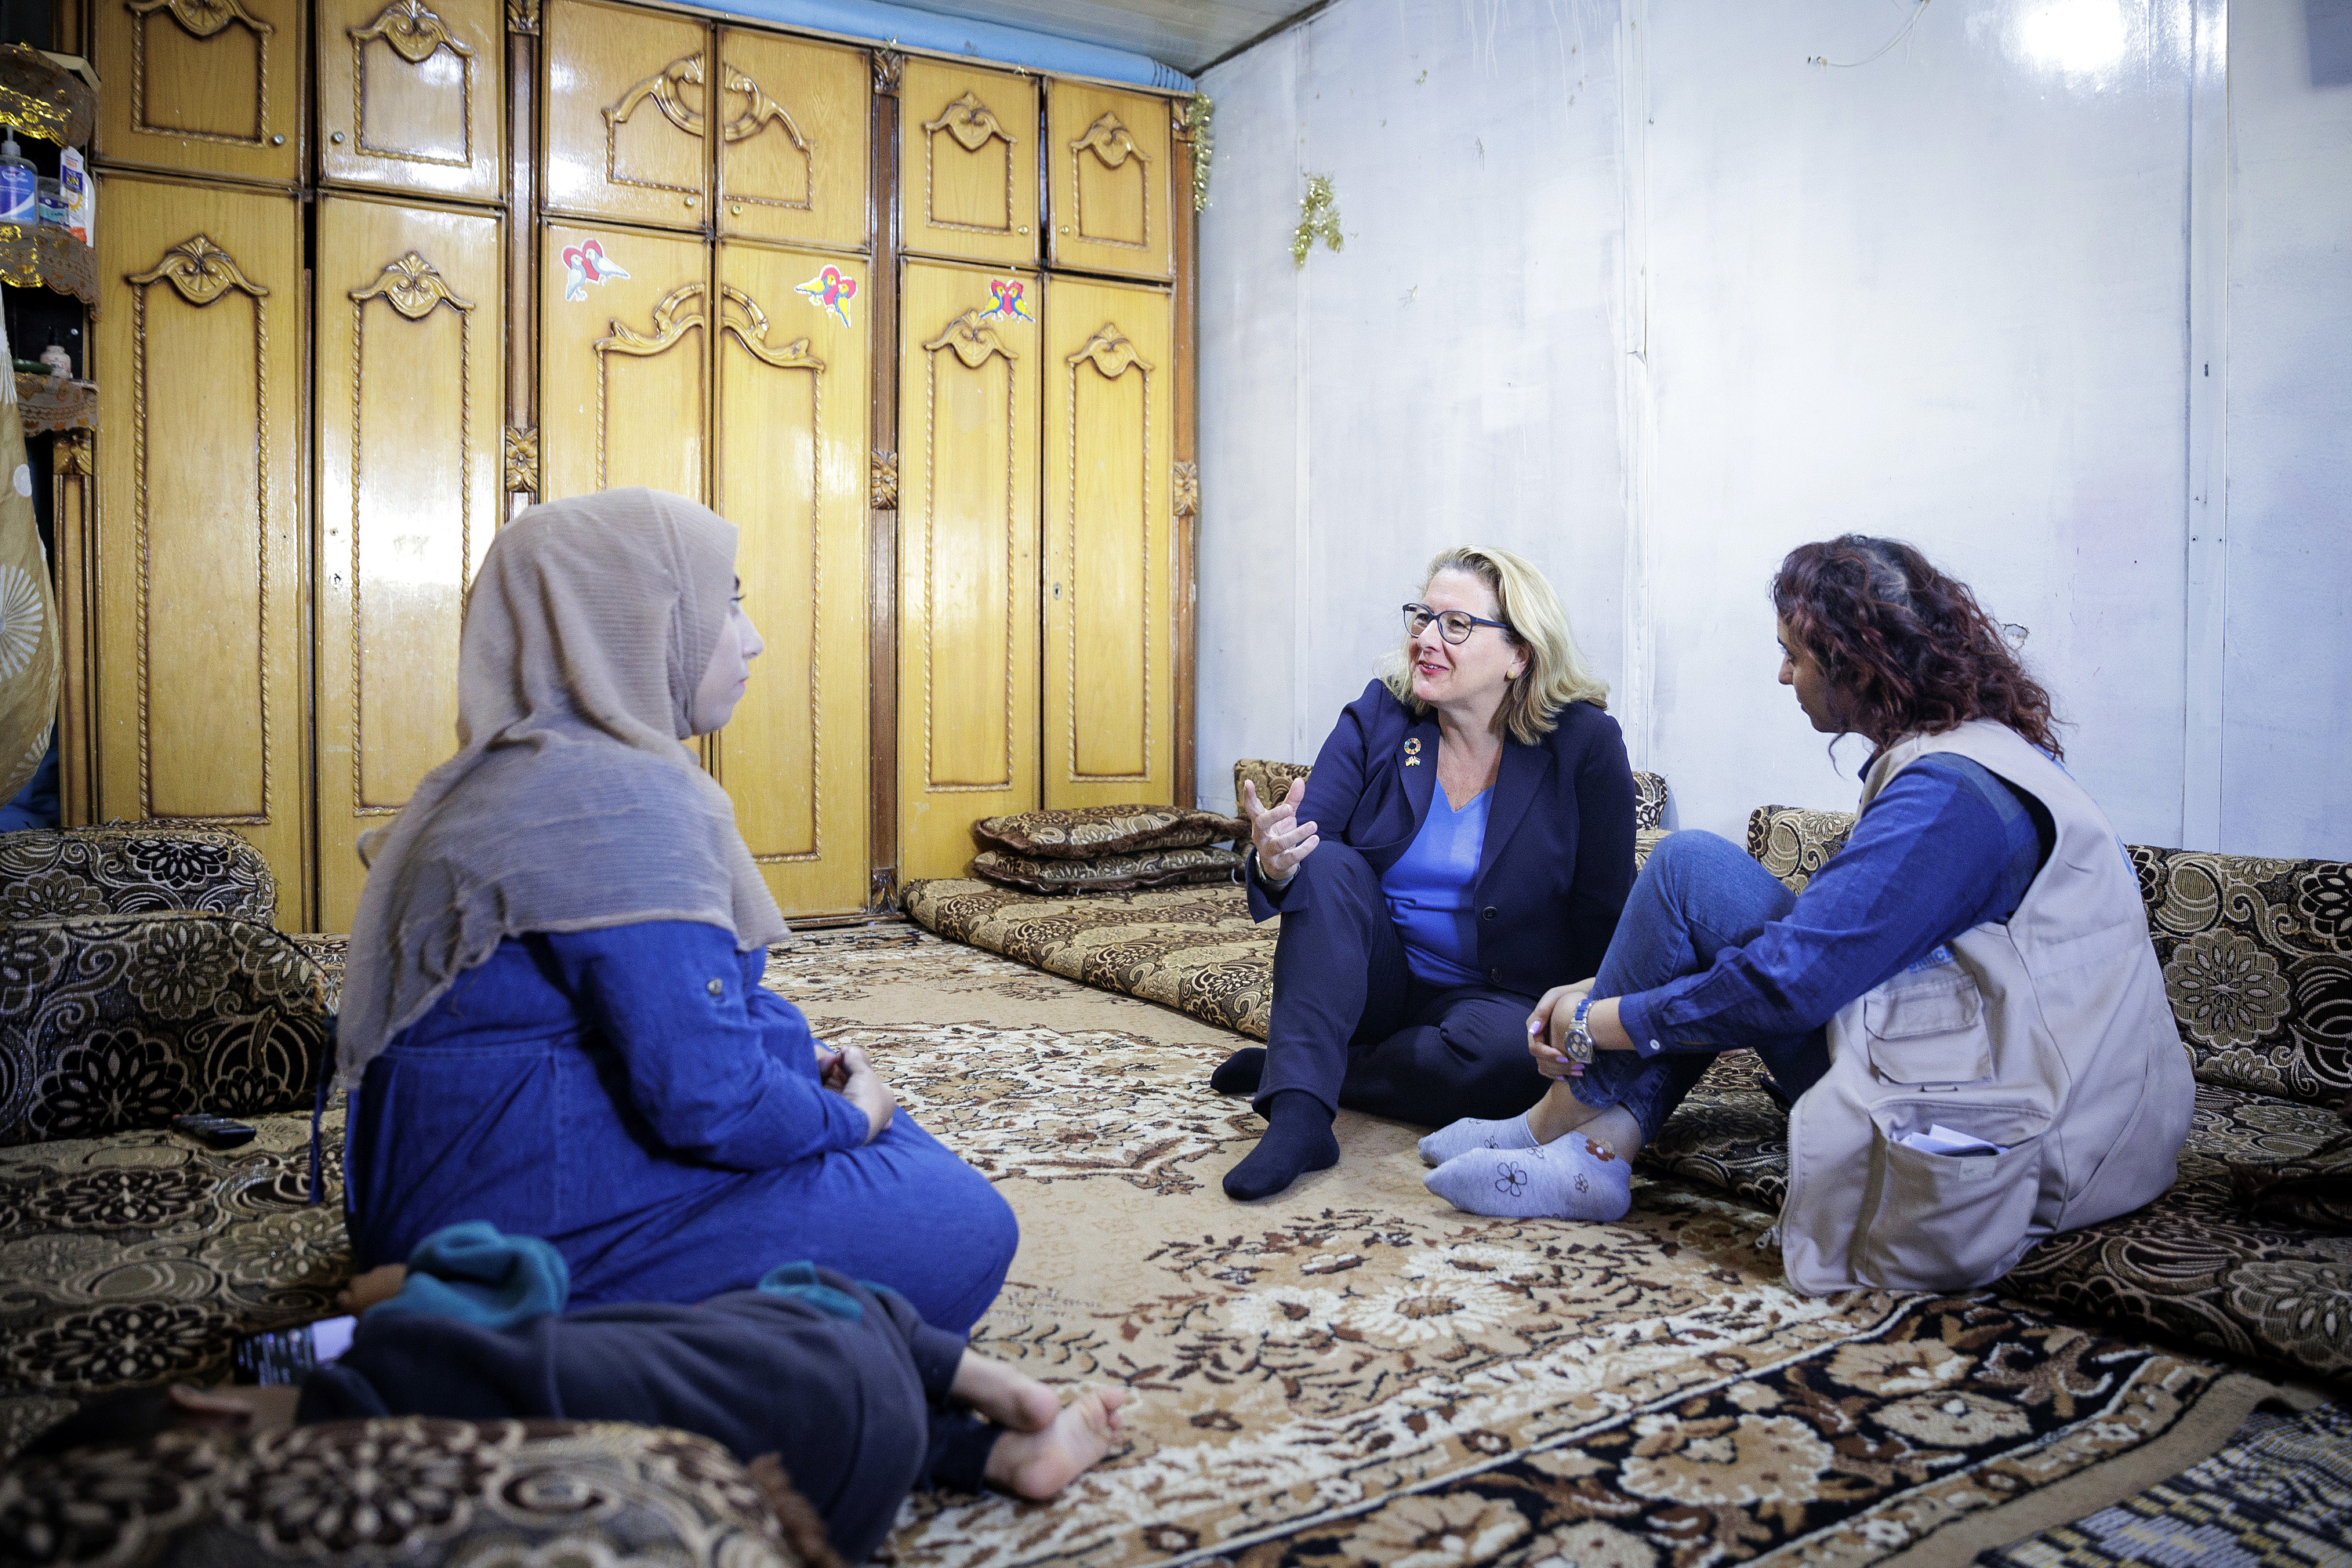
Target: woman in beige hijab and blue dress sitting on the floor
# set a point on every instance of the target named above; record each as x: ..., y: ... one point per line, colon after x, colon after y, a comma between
x: 554, y: 1014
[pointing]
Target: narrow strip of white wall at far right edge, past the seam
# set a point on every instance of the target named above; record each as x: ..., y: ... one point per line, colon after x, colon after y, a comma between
x: 2287, y: 662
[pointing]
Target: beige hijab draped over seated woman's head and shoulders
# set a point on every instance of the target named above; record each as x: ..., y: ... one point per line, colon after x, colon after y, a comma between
x: 570, y: 803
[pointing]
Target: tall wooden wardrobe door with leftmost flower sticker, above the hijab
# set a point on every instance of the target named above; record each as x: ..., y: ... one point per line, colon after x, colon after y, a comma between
x: 624, y: 366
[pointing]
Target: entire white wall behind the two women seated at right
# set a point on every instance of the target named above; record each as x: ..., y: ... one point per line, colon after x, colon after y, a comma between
x: 1666, y: 328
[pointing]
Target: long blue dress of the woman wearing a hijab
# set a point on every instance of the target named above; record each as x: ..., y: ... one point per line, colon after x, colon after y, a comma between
x: 641, y: 1101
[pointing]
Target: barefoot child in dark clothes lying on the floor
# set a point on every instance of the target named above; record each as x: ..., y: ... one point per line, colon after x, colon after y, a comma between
x: 838, y: 1383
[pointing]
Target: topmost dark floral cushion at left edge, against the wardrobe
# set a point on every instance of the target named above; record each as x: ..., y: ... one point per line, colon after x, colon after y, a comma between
x: 133, y: 871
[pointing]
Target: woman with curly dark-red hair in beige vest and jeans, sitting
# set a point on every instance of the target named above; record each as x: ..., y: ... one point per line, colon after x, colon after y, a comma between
x: 1963, y: 1007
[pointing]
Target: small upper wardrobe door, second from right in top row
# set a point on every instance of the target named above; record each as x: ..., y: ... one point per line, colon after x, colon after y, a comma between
x: 968, y: 163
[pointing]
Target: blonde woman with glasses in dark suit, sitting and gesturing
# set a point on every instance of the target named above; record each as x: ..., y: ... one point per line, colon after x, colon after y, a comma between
x: 1462, y: 847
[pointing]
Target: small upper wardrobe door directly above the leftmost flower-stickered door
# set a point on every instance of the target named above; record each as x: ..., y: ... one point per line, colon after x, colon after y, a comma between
x: 627, y: 114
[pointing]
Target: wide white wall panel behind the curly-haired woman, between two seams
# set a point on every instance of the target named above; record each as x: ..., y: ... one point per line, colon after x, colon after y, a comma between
x: 1935, y: 297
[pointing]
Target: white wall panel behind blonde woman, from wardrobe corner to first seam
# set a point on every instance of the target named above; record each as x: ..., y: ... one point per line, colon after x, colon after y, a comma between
x: 1450, y: 377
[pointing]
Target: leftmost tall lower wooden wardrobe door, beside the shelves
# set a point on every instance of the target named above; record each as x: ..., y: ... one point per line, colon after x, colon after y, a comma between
x: 201, y: 596
